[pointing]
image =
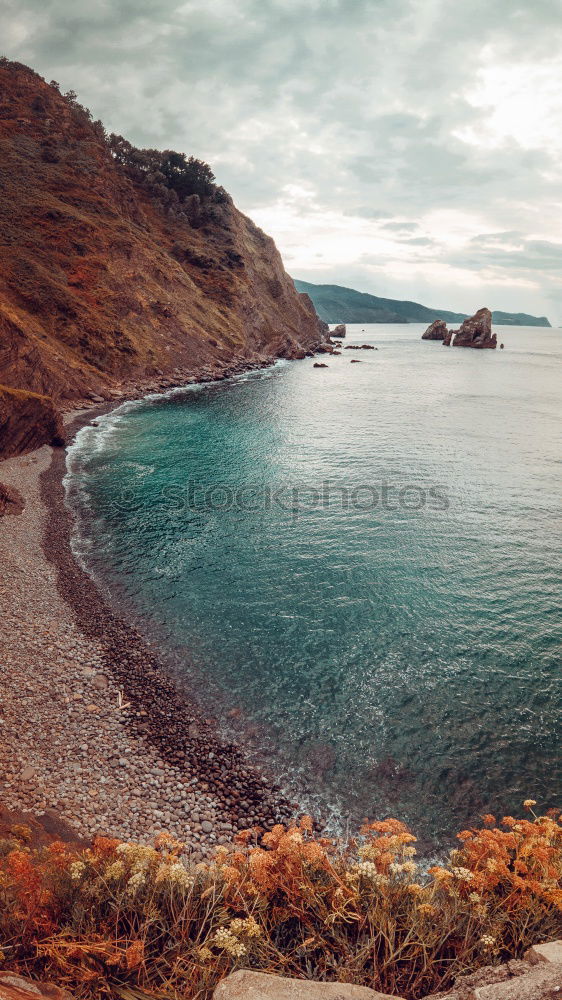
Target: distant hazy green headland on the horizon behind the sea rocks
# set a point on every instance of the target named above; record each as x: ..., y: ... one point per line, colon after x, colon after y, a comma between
x: 336, y: 304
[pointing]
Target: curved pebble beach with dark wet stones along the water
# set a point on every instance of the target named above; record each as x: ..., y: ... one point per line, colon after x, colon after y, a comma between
x: 127, y: 751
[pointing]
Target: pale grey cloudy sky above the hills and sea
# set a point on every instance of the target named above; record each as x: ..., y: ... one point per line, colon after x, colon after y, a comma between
x: 411, y: 148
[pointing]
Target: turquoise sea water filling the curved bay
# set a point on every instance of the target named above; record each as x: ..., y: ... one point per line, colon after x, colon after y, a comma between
x: 390, y: 634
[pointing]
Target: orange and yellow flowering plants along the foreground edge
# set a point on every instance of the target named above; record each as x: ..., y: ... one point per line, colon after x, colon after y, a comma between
x: 121, y: 917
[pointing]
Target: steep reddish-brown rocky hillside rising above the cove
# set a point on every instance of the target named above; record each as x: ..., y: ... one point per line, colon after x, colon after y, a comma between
x: 99, y: 284
